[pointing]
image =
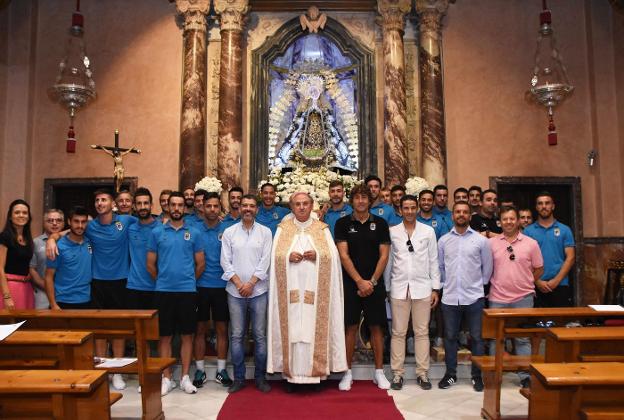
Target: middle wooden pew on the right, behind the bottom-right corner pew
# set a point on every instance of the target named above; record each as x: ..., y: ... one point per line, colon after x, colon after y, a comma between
x: 586, y: 344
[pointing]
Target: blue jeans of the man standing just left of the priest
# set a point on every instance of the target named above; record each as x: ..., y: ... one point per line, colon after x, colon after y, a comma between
x: 257, y: 307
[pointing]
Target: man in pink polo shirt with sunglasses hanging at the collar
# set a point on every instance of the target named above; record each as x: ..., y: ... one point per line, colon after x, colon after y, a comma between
x: 518, y: 263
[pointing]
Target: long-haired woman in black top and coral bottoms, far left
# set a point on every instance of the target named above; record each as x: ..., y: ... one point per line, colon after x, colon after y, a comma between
x: 16, y: 249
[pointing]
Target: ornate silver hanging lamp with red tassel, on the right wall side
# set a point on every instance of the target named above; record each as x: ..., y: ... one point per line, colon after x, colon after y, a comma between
x: 549, y: 84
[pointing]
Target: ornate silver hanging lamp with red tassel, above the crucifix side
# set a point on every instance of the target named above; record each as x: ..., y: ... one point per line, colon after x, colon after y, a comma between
x: 74, y: 87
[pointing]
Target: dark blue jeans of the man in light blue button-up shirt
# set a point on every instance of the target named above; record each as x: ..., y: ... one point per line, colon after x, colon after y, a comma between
x: 453, y: 315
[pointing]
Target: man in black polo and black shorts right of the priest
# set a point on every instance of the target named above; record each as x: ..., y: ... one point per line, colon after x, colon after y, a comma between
x: 363, y: 241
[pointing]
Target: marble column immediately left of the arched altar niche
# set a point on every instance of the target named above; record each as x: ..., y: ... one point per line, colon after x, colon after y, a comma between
x: 231, y: 16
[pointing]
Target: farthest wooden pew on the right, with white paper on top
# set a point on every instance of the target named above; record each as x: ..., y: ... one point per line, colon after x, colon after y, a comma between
x: 497, y: 324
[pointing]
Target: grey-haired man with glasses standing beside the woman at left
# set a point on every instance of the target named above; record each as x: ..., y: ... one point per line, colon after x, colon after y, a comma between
x: 53, y: 222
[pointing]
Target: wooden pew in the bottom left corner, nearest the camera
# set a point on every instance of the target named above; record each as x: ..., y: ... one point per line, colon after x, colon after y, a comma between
x: 58, y: 394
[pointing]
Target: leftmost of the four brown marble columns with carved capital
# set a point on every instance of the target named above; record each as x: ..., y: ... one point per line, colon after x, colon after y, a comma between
x: 193, y: 114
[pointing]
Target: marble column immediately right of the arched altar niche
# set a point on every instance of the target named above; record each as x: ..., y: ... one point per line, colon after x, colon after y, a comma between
x: 393, y: 13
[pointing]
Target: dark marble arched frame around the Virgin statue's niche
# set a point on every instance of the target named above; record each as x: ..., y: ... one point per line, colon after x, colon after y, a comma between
x: 276, y: 46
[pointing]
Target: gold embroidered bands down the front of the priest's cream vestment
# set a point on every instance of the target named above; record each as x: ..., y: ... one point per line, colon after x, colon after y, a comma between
x: 315, y: 230
